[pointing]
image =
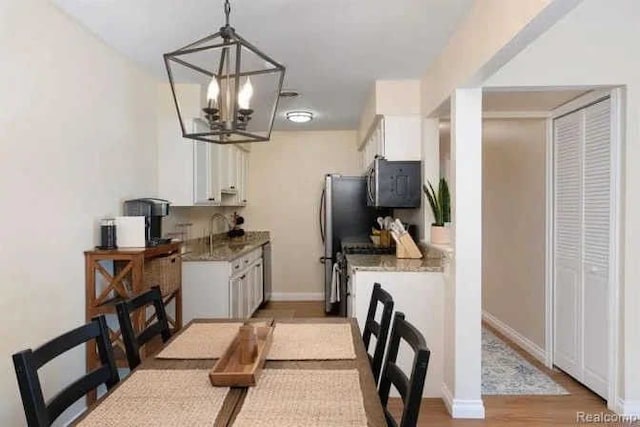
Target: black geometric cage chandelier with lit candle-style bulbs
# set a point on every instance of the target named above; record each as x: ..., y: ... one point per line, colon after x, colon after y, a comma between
x: 226, y: 83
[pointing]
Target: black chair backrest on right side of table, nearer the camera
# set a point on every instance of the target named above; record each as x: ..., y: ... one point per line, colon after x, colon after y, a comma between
x: 410, y: 388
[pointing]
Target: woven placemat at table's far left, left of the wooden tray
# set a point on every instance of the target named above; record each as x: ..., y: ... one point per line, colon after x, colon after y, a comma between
x: 201, y: 341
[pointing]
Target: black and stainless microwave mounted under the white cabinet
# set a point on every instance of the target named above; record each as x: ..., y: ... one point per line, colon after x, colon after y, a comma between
x: 394, y: 184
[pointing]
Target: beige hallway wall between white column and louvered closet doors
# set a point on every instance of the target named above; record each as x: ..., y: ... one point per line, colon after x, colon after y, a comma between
x: 513, y: 224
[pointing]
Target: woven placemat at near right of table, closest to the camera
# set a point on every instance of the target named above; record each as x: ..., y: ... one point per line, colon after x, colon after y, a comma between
x: 309, y: 398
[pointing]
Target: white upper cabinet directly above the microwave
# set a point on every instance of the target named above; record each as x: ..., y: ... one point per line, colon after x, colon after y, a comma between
x: 392, y: 137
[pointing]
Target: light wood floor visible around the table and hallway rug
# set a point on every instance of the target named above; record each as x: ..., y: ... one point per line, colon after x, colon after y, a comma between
x: 500, y: 410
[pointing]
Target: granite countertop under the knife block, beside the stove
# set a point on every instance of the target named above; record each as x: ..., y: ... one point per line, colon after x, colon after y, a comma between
x: 431, y: 262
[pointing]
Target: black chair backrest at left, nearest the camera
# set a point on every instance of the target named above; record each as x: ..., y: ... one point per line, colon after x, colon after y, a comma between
x: 27, y: 363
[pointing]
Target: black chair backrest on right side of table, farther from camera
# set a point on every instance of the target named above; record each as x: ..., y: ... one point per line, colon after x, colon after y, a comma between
x: 379, y: 330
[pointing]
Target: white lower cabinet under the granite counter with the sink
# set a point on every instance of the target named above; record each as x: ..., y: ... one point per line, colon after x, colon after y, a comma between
x: 222, y: 289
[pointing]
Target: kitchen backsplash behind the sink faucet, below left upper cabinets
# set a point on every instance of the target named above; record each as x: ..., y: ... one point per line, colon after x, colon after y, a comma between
x: 199, y: 216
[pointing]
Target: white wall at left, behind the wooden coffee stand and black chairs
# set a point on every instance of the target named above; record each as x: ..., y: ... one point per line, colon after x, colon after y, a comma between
x: 77, y: 137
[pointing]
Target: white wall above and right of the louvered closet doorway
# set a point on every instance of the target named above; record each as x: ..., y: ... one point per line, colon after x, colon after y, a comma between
x: 596, y: 44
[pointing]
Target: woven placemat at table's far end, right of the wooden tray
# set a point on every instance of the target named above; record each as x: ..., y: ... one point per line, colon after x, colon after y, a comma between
x: 311, y: 341
